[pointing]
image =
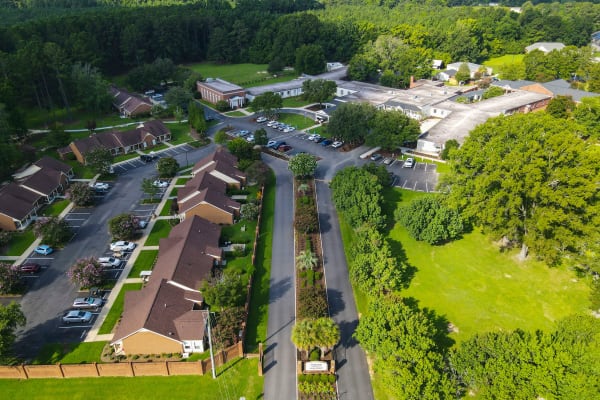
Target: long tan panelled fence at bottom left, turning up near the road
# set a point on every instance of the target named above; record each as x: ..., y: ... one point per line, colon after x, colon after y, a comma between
x: 121, y: 369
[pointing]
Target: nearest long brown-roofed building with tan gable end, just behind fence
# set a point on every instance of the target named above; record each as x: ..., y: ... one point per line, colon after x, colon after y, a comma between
x: 167, y: 315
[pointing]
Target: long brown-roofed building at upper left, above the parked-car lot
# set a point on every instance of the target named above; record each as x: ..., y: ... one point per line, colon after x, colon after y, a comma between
x: 146, y: 134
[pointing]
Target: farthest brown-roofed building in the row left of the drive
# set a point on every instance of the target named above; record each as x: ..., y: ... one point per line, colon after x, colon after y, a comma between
x: 222, y: 165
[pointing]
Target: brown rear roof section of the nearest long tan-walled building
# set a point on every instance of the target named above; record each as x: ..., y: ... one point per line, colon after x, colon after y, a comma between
x: 187, y: 256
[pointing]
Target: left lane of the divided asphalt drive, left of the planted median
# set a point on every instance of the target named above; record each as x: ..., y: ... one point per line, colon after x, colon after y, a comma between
x: 280, y: 353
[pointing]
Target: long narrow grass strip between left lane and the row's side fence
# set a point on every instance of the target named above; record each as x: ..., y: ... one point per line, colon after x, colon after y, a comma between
x: 259, y: 301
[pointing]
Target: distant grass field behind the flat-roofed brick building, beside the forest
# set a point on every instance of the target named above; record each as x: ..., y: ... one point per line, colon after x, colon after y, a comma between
x: 241, y: 74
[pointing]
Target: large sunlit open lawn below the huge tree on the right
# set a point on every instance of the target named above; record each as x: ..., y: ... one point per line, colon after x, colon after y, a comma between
x: 478, y: 288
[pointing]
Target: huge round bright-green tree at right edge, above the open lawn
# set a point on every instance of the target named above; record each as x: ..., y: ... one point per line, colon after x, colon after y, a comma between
x: 531, y: 179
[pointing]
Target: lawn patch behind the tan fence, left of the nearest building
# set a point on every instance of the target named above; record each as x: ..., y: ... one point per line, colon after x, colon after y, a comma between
x: 70, y: 353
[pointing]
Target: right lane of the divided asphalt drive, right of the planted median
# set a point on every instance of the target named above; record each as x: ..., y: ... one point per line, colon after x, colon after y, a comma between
x: 354, y: 382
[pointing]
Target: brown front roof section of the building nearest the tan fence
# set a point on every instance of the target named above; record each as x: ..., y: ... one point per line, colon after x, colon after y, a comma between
x: 164, y: 309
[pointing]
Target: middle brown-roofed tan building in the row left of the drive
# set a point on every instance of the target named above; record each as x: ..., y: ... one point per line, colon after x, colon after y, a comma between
x: 204, y: 196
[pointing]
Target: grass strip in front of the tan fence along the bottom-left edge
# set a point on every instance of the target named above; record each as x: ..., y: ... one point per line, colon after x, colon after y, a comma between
x: 236, y: 379
